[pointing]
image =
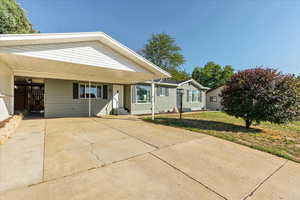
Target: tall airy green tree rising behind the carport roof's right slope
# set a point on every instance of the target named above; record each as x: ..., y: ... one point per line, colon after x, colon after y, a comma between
x: 162, y: 50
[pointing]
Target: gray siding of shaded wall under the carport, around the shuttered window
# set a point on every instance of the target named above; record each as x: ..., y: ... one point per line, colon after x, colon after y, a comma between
x: 59, y: 101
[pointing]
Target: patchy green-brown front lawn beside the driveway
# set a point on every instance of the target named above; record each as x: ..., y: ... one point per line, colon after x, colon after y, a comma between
x: 280, y: 140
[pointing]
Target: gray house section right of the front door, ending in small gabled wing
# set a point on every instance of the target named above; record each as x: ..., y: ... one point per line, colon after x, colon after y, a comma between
x: 166, y: 96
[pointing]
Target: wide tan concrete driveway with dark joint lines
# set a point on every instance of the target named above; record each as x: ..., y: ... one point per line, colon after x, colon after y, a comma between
x: 95, y: 158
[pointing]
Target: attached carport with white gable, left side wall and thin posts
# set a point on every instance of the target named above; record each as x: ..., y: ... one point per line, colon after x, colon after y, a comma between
x: 89, y: 58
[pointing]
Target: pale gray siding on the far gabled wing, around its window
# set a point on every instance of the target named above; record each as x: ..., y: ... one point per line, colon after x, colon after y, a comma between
x: 189, y: 105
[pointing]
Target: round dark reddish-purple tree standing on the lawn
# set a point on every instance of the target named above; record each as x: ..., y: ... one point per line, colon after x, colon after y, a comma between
x: 261, y: 95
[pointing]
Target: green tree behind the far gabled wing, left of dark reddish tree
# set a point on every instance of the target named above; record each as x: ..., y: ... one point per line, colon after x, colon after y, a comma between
x: 212, y: 75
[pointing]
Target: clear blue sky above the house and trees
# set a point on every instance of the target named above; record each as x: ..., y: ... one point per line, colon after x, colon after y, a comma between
x: 240, y: 33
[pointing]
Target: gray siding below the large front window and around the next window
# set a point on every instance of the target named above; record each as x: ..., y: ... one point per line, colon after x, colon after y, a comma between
x: 162, y: 103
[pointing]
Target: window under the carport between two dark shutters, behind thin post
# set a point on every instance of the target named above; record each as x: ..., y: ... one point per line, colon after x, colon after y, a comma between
x: 94, y: 91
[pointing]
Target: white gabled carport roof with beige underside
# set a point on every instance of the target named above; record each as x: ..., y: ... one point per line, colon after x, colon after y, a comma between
x: 139, y: 69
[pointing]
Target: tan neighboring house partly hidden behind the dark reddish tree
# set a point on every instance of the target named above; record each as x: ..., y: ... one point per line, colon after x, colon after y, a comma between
x: 213, y: 98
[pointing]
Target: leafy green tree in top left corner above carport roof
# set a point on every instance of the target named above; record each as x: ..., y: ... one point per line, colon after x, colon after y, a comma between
x: 13, y: 18
